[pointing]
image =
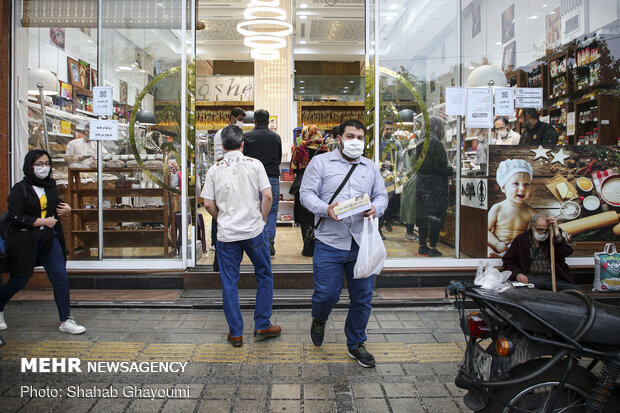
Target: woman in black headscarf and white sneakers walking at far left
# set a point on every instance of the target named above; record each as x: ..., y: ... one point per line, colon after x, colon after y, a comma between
x: 34, y: 237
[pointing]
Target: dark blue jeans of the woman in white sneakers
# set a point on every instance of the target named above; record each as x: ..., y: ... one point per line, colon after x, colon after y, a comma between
x: 54, y: 263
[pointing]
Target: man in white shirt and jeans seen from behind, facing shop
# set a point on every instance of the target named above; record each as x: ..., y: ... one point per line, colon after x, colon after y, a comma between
x: 231, y: 194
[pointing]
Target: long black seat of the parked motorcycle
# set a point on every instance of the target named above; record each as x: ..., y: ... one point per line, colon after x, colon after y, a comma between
x: 563, y: 311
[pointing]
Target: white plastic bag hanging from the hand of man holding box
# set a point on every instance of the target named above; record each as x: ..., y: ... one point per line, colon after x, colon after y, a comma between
x: 372, y: 251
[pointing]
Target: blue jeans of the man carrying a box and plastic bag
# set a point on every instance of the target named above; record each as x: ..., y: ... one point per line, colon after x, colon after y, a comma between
x: 331, y: 266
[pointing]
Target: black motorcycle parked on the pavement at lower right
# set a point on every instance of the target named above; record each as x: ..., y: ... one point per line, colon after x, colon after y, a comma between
x: 531, y: 350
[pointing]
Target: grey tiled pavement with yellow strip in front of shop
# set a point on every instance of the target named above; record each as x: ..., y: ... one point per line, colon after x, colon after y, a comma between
x: 417, y: 350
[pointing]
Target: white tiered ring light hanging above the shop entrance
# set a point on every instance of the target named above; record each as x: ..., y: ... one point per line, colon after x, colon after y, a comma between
x: 264, y: 29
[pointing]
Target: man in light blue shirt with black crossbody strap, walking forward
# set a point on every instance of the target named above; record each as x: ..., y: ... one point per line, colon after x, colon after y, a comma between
x: 337, y: 242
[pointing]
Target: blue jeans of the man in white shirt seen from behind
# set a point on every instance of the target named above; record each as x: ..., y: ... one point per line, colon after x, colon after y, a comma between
x: 229, y: 255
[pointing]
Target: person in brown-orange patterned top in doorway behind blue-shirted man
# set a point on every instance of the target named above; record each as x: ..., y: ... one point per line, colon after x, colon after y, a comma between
x: 310, y: 146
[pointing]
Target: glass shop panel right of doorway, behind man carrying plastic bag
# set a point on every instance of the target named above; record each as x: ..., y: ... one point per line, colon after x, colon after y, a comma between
x: 418, y: 57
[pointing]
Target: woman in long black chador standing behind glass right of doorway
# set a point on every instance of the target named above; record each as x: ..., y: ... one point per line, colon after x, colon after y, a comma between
x: 432, y: 188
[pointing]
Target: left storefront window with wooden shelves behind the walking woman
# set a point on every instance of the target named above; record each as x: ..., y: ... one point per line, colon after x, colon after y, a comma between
x: 141, y: 46
